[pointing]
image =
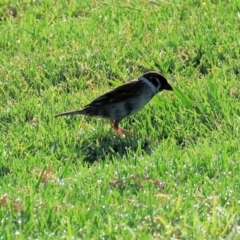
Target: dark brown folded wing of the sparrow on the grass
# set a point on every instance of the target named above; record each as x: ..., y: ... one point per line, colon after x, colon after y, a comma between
x: 119, y: 94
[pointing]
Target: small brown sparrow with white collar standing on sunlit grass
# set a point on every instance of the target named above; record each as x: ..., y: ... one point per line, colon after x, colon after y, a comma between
x: 124, y: 100
